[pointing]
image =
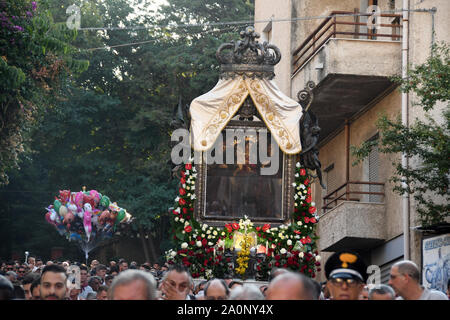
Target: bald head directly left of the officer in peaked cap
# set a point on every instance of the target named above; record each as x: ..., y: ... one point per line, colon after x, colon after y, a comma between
x: 290, y: 286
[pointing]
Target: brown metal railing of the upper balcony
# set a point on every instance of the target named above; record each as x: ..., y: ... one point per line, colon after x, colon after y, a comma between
x: 331, y: 26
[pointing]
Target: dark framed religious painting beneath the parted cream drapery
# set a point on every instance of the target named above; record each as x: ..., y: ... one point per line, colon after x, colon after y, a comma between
x: 244, y: 176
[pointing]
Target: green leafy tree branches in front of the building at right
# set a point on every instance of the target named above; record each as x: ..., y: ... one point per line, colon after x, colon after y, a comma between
x: 426, y: 142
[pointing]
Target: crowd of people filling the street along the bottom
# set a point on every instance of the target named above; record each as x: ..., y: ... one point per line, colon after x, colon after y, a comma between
x: 119, y: 280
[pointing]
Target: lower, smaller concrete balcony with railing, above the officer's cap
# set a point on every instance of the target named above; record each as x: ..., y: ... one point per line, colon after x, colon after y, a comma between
x: 353, y: 217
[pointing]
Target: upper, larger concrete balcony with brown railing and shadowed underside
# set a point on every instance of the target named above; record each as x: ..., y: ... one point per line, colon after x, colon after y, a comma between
x: 351, y: 68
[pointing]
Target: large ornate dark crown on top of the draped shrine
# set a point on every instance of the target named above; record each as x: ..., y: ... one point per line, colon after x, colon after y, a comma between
x: 248, y: 57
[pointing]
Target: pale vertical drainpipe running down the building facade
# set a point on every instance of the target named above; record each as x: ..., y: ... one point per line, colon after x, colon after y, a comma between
x: 405, y: 197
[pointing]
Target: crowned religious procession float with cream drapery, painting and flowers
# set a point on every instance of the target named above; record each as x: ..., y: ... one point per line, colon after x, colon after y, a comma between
x: 252, y: 212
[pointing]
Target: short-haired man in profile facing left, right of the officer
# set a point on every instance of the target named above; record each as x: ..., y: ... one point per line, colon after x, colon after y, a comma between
x: 405, y: 280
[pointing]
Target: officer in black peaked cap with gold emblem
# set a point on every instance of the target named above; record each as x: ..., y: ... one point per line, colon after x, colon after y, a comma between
x: 347, y: 274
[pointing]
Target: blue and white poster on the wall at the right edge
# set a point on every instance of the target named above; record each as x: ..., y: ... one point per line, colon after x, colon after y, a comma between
x: 436, y: 262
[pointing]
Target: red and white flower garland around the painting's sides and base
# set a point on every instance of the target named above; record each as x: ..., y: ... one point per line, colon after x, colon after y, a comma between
x: 201, y: 248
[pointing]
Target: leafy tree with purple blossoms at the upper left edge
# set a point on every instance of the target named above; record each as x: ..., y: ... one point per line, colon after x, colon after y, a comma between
x: 36, y: 57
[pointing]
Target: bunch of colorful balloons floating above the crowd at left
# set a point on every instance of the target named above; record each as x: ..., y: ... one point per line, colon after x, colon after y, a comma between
x: 86, y: 215
